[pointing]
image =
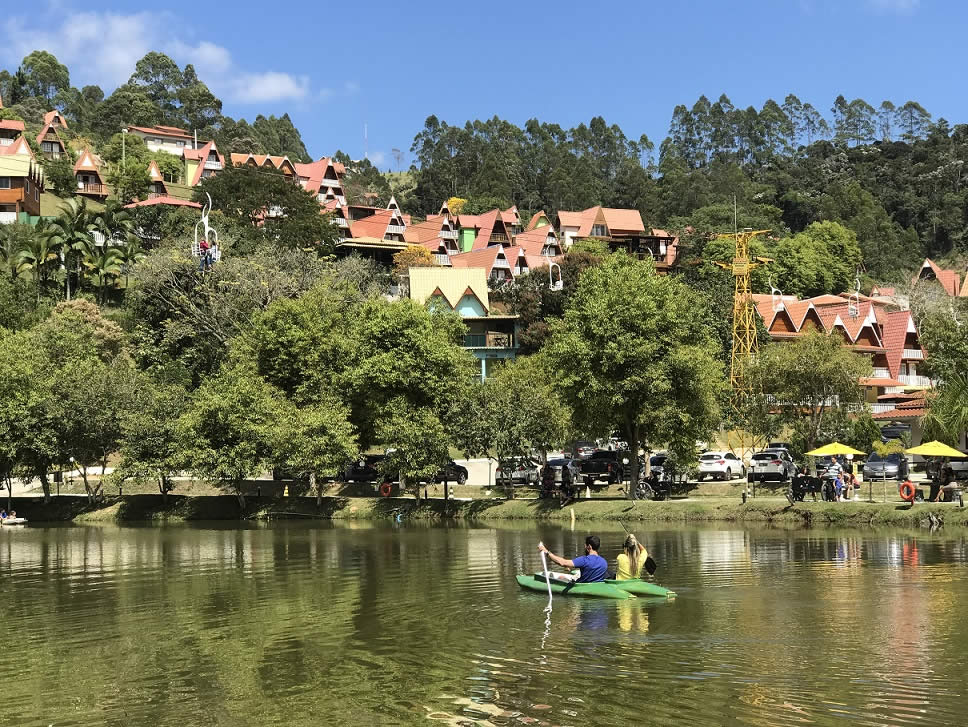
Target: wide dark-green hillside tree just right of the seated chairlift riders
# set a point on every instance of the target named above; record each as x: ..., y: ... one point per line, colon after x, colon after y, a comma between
x: 275, y: 210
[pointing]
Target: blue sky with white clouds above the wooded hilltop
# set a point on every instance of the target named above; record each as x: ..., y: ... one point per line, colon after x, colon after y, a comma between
x: 386, y: 65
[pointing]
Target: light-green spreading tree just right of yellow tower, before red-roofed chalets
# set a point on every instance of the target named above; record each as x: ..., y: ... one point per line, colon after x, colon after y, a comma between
x: 808, y: 378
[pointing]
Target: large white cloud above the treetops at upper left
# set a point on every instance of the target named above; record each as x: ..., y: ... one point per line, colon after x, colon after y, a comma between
x: 103, y: 47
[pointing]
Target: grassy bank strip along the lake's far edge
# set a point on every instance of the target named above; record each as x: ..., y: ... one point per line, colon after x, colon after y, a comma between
x: 151, y: 508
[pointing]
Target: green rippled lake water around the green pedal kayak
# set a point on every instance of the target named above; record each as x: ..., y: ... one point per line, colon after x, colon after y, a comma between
x: 306, y: 624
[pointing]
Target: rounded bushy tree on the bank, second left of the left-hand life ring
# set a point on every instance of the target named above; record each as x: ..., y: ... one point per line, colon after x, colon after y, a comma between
x: 230, y: 431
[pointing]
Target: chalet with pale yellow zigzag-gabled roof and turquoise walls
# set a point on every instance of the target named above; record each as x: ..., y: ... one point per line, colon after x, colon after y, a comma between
x: 492, y: 336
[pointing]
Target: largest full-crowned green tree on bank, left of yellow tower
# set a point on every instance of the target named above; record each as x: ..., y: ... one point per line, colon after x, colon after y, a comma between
x: 633, y: 355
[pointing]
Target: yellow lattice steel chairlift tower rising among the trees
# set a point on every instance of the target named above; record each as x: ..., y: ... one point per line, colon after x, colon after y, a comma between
x: 744, y: 330
